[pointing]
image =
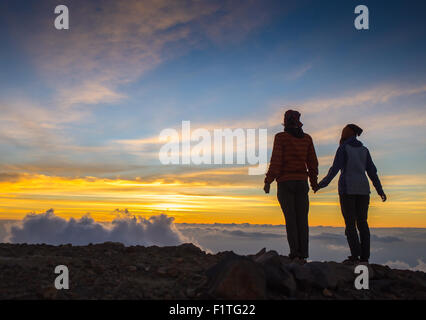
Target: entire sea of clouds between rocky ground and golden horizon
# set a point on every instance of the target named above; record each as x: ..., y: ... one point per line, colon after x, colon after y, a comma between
x: 402, y: 248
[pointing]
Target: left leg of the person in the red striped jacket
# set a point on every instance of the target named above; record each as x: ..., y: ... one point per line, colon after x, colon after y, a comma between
x: 286, y: 200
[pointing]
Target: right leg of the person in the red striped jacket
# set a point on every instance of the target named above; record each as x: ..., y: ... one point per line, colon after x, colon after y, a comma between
x: 302, y: 210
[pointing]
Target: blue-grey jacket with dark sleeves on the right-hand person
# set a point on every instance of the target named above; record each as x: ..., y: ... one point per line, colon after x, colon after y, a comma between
x: 353, y: 160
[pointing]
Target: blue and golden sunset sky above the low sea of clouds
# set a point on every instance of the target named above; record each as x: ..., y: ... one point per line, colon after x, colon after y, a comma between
x: 81, y: 110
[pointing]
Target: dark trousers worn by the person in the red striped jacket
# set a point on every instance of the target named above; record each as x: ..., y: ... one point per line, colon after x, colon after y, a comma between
x: 294, y: 202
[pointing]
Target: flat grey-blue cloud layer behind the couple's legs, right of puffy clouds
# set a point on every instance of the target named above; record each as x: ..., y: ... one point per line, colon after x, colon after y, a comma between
x: 401, y: 248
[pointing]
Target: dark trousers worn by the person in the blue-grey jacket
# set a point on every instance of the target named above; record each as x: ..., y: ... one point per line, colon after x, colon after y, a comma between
x: 355, y: 211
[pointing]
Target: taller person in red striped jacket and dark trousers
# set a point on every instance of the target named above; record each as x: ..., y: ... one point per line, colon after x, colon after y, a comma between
x: 293, y: 160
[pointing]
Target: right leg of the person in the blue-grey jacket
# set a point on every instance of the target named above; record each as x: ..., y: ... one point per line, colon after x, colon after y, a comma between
x: 362, y: 204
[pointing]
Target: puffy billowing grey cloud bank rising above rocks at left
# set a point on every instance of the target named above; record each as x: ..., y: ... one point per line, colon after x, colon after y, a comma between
x: 49, y: 228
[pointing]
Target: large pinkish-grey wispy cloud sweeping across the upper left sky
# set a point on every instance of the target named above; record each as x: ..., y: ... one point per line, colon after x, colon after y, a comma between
x: 90, y: 64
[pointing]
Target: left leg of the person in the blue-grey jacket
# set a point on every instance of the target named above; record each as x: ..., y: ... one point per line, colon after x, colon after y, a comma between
x: 348, y: 207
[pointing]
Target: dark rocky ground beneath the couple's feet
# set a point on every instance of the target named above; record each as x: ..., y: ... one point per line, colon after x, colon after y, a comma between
x: 113, y: 271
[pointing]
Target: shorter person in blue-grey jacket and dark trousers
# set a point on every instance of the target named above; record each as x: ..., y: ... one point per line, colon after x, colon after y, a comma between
x: 353, y: 160
